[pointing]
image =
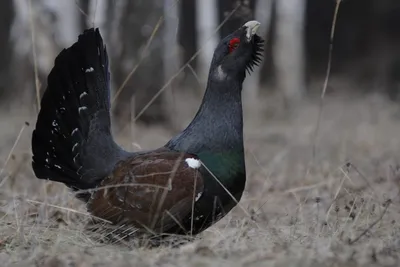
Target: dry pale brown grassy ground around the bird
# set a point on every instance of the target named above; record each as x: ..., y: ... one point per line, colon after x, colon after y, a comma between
x: 330, y: 209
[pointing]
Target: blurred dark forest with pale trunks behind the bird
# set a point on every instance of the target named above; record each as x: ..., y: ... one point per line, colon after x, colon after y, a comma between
x: 154, y: 47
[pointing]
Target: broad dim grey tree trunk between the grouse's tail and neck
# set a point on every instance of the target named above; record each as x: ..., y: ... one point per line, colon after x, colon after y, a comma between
x: 139, y: 19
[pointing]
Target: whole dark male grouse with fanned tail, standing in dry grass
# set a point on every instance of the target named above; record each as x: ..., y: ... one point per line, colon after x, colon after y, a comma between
x: 181, y: 188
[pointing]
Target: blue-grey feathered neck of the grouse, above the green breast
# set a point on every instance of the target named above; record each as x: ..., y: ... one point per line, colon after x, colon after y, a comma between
x: 218, y: 124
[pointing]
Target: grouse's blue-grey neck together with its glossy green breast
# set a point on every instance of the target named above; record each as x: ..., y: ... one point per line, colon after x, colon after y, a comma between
x: 215, y: 135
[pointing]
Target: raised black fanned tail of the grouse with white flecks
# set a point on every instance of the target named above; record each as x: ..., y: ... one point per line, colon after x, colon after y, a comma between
x: 72, y: 141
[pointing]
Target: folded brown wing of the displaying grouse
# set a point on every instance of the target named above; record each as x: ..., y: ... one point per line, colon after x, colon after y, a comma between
x: 155, y: 191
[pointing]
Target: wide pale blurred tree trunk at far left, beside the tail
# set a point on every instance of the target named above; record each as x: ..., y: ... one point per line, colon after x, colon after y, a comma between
x: 51, y: 27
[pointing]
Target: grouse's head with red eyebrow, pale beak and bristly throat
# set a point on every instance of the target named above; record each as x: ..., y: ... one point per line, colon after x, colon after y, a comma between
x: 238, y: 52
